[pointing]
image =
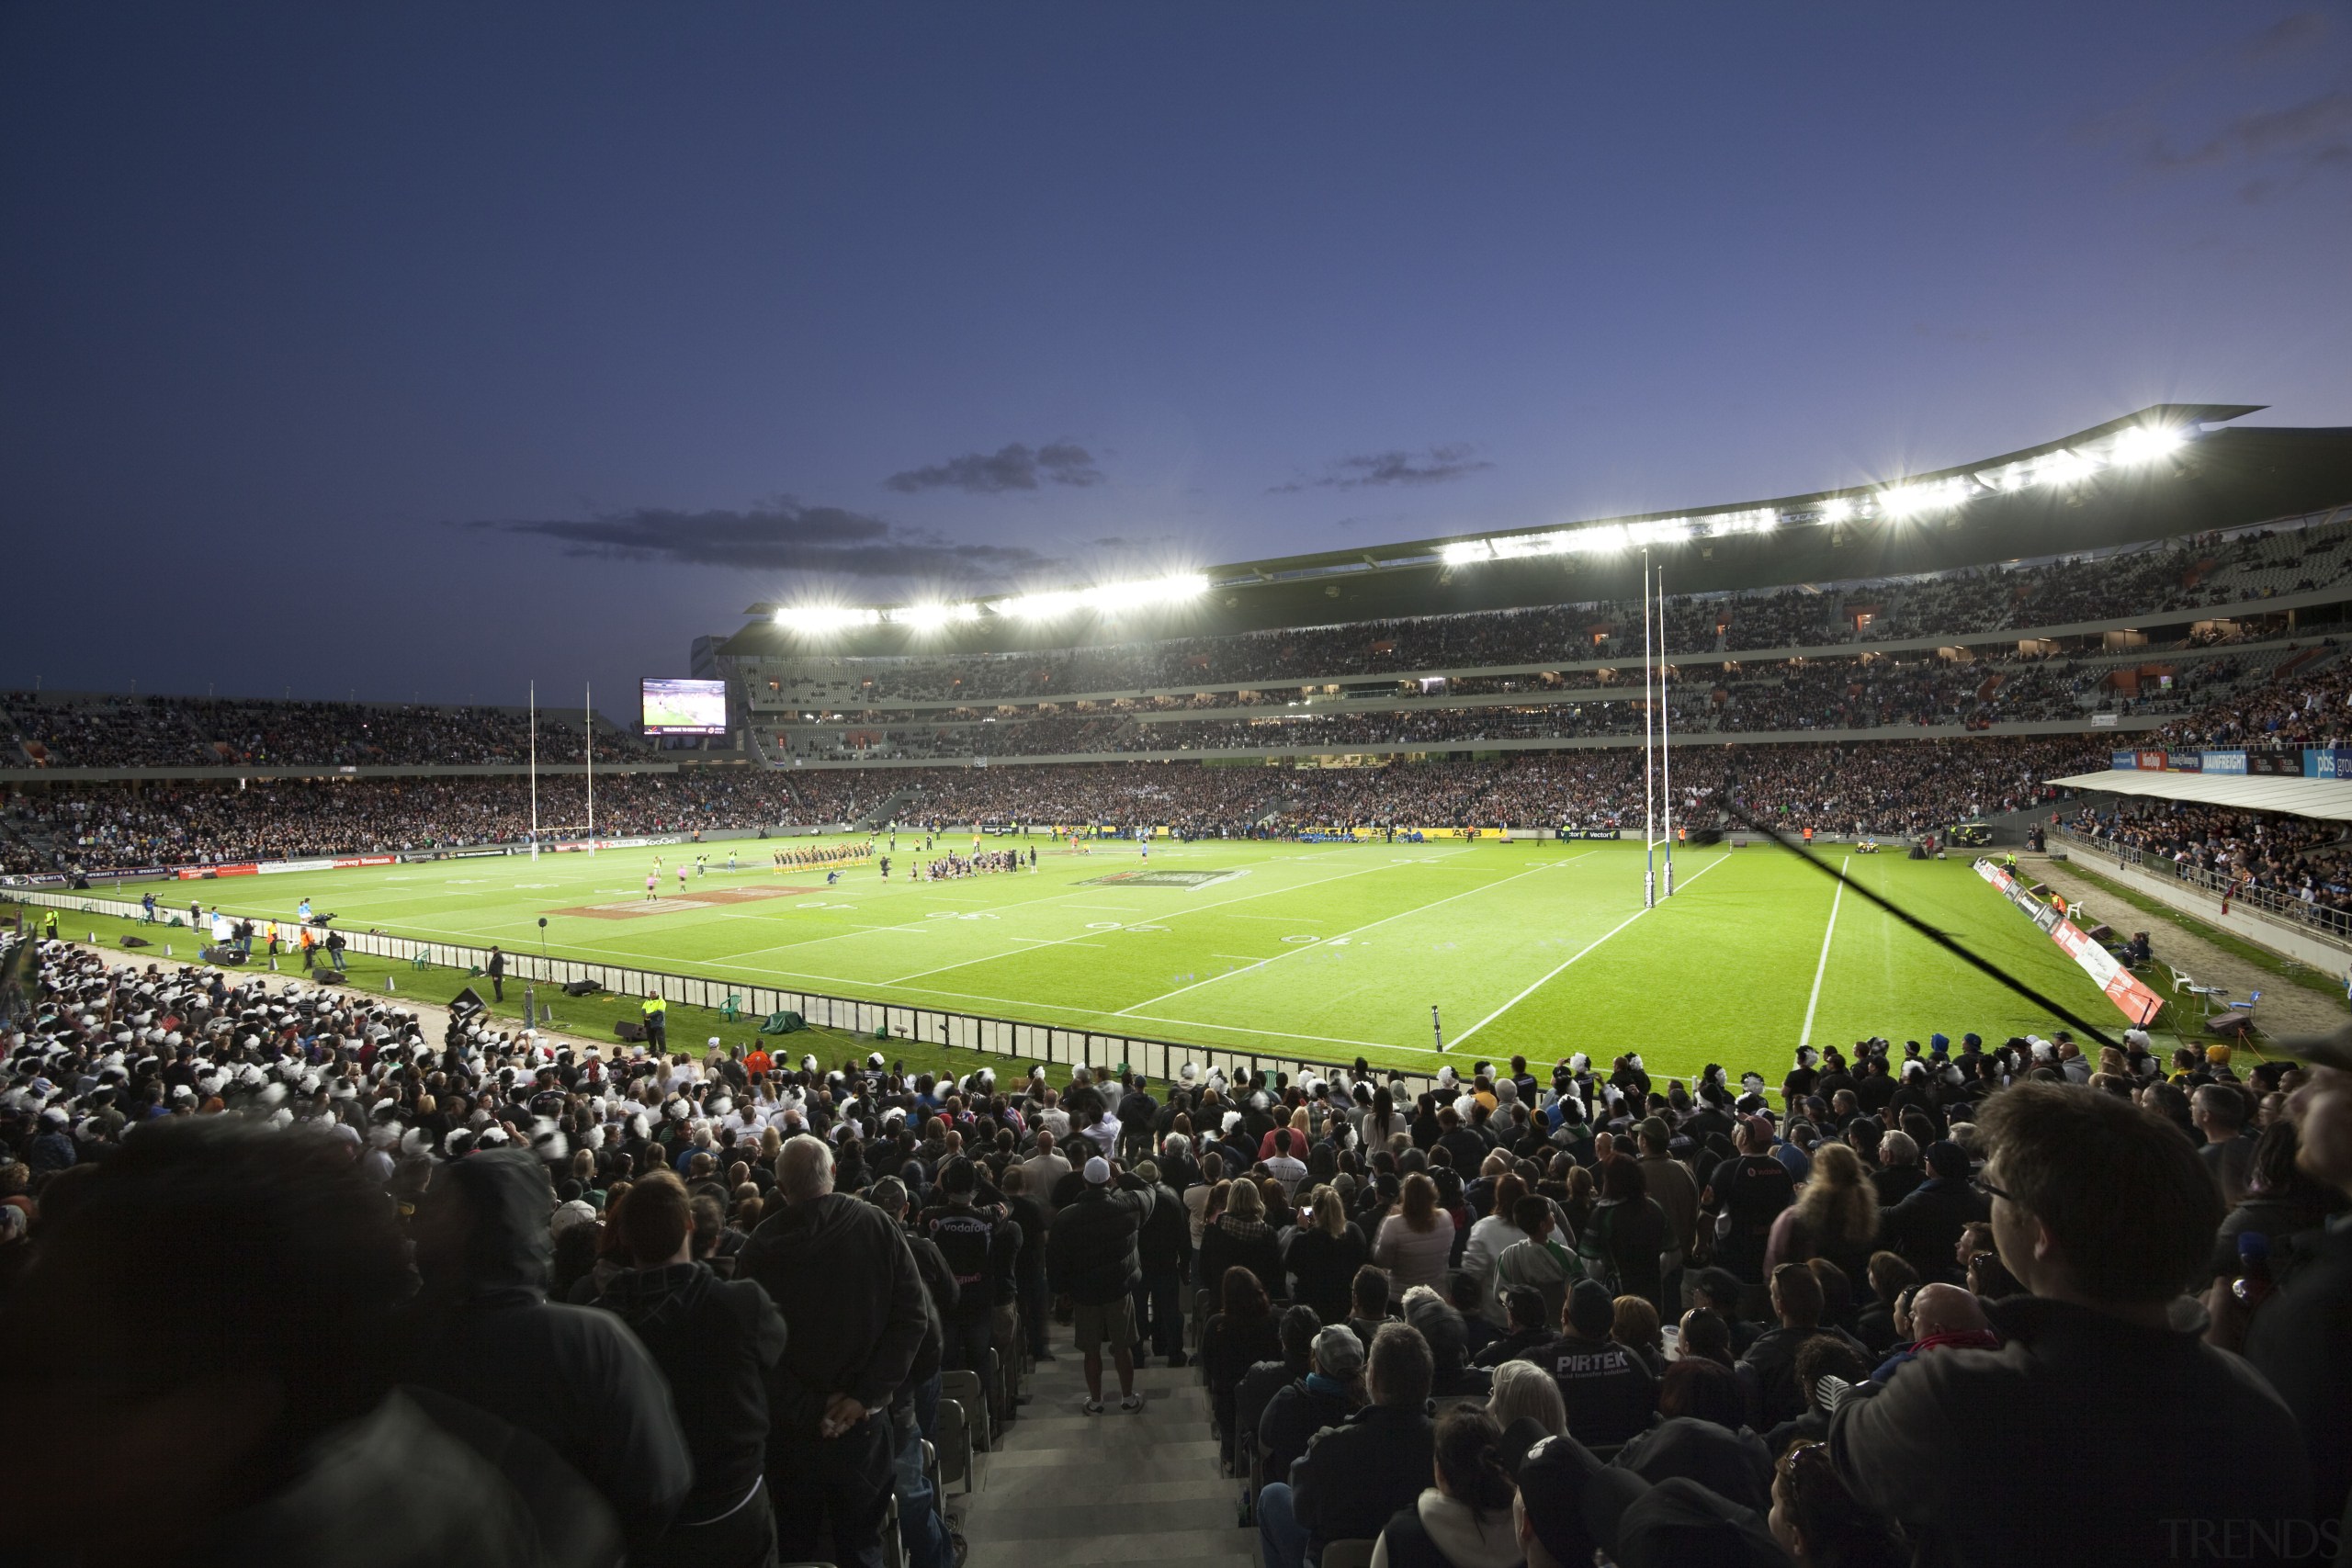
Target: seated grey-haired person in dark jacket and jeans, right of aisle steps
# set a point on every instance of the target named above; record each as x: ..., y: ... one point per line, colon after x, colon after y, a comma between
x: 1358, y: 1475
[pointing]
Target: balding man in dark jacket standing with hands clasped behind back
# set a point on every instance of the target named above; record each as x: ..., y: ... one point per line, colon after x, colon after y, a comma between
x: 846, y: 1282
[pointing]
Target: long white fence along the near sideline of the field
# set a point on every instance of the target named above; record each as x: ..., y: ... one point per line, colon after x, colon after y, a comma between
x: 1013, y: 1038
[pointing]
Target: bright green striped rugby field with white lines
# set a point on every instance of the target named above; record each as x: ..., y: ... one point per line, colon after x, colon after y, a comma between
x: 1318, y: 951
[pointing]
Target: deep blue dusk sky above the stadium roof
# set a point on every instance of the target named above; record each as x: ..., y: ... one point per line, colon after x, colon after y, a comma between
x: 432, y: 349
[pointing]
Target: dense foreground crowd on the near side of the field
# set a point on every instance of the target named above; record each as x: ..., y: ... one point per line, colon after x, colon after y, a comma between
x: 345, y: 1292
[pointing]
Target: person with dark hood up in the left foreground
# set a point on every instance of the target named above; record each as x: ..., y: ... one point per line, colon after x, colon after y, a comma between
x: 570, y: 1376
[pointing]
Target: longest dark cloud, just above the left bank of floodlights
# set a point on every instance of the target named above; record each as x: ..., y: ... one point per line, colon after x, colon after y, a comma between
x: 777, y: 535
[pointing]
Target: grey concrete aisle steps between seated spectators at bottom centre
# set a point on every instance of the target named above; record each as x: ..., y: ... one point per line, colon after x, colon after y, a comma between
x: 1083, y: 1492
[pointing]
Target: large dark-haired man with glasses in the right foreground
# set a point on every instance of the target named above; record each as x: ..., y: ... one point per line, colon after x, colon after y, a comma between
x: 2109, y: 1419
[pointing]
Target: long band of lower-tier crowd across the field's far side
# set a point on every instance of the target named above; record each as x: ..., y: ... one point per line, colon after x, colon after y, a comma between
x: 1887, y: 789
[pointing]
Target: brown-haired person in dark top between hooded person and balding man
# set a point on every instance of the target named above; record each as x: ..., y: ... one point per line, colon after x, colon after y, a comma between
x: 716, y: 1341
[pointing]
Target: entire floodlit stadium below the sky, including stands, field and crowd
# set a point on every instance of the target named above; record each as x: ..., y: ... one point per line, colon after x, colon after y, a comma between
x: 1728, y: 1249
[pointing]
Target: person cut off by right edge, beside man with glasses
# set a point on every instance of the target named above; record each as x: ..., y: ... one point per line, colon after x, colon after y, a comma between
x: 2304, y: 1336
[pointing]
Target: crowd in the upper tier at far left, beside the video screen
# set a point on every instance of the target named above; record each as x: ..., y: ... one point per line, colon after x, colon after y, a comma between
x: 156, y: 732
